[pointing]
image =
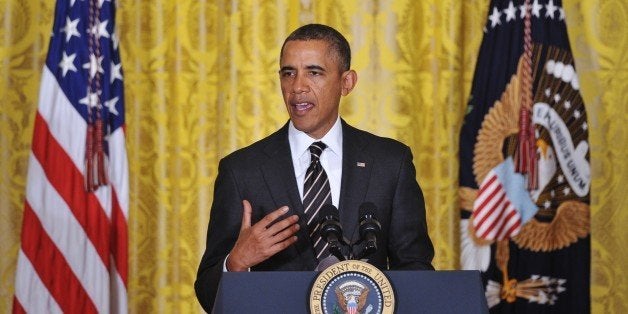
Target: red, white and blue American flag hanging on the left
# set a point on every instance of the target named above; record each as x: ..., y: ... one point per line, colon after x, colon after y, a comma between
x: 73, y: 255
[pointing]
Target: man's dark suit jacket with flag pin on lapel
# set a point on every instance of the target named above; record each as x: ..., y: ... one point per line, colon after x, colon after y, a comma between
x: 263, y: 174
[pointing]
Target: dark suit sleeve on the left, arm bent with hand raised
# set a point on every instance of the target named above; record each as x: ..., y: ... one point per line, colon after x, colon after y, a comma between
x: 222, y: 233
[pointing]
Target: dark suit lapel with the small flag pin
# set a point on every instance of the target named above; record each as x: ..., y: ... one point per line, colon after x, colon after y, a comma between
x: 356, y: 171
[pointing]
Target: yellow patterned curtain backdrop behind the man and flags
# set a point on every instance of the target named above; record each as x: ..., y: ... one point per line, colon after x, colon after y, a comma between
x: 201, y: 80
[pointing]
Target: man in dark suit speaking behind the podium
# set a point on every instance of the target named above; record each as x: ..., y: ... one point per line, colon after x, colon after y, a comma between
x: 262, y: 216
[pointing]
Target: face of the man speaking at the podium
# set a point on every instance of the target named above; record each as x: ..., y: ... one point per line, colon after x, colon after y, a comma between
x: 311, y: 84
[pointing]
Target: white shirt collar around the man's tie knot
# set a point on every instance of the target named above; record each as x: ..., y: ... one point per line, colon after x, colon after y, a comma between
x: 300, y: 141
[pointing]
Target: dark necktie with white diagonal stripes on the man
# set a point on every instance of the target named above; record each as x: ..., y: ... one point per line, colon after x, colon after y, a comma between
x: 316, y: 193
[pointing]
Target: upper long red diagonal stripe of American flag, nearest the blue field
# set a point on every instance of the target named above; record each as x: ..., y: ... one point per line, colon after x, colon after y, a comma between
x: 65, y: 178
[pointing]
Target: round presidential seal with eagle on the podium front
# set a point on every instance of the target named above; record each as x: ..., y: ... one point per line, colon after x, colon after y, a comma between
x: 352, y: 287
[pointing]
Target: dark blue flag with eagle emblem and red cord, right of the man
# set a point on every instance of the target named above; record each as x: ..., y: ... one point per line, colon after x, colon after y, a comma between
x: 524, y: 165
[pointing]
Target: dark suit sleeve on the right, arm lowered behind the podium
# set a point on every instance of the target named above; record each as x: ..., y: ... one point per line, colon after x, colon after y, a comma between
x: 409, y: 243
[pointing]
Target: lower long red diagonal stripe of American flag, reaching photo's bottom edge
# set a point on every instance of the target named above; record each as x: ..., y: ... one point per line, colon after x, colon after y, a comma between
x: 52, y: 267
